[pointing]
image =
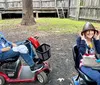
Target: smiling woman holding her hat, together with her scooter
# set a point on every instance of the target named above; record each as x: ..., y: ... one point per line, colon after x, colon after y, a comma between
x: 88, y: 45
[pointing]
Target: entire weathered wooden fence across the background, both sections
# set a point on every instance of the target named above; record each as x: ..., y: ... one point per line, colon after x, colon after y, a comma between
x: 78, y: 9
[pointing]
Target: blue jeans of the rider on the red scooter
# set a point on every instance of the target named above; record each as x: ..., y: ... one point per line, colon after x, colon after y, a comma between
x: 9, y: 54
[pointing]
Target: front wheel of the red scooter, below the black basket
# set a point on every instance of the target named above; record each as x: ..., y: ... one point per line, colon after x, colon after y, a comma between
x: 42, y: 78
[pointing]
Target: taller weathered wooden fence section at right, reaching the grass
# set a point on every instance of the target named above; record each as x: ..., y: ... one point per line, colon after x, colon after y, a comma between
x: 85, y: 9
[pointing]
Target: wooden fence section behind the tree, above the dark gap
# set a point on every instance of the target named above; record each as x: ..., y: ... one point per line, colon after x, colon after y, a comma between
x: 8, y: 4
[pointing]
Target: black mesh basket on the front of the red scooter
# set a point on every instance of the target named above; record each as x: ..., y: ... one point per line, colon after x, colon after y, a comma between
x: 44, y: 52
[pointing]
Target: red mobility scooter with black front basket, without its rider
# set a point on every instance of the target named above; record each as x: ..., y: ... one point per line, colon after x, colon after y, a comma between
x: 13, y: 71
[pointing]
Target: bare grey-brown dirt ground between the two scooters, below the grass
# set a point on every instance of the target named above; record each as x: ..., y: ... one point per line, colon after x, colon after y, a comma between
x: 61, y: 51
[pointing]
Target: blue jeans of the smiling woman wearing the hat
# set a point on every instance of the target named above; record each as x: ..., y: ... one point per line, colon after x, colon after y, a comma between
x: 93, y: 74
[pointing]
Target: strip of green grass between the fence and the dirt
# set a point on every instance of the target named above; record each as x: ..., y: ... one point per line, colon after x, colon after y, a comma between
x: 51, y: 24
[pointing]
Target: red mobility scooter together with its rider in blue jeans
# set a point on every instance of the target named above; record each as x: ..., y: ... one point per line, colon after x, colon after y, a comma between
x: 11, y: 68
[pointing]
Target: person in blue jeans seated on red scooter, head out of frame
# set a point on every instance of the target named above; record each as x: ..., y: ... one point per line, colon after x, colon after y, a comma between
x: 9, y: 50
